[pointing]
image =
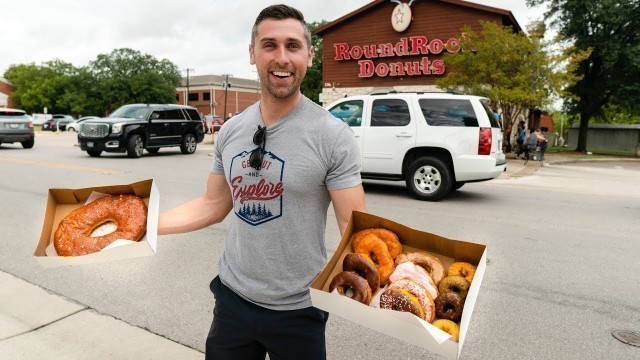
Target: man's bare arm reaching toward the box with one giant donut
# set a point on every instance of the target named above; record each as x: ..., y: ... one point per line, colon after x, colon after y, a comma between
x: 211, y: 208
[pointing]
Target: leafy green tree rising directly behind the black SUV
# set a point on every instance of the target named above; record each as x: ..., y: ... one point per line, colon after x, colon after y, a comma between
x: 128, y: 76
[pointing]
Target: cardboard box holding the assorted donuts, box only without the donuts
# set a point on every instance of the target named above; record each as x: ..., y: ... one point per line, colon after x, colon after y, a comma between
x: 402, y: 325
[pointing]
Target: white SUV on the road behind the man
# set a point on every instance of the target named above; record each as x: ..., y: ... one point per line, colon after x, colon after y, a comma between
x: 436, y: 142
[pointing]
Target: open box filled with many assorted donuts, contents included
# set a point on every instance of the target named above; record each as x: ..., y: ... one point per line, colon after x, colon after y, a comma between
x: 415, y: 286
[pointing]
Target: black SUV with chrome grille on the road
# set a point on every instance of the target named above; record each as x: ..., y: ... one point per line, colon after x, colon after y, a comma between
x: 136, y: 127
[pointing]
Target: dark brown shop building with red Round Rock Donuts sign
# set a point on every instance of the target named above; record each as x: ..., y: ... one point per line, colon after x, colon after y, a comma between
x: 397, y: 45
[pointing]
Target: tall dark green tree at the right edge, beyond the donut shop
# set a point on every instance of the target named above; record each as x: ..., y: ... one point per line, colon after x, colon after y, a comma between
x: 609, y: 75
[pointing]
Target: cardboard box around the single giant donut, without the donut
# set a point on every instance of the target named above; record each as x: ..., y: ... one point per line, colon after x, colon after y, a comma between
x: 61, y: 202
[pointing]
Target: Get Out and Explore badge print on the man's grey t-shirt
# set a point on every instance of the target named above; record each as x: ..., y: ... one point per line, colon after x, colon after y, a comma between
x: 257, y: 194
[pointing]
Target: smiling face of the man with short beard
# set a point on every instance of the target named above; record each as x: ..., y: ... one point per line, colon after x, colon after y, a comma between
x: 281, y: 55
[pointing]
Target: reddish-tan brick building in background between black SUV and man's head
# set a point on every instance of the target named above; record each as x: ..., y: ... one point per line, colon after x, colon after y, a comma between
x: 210, y: 95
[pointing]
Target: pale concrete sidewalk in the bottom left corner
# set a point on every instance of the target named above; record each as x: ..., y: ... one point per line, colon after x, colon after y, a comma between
x: 36, y: 324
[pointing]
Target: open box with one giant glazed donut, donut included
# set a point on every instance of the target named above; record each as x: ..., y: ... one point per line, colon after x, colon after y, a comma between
x: 99, y: 224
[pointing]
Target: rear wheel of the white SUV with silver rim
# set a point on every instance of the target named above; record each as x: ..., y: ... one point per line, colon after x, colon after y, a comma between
x: 428, y: 178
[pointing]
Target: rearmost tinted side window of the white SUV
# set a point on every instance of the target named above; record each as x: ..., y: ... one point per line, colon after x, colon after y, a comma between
x: 448, y: 112
